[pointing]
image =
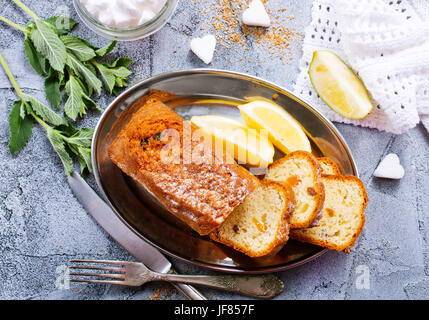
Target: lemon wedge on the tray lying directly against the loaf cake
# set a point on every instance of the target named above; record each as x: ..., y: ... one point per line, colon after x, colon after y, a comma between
x: 247, y: 145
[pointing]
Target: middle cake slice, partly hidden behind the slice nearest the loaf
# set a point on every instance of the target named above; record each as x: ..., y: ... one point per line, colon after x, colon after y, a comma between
x: 301, y: 171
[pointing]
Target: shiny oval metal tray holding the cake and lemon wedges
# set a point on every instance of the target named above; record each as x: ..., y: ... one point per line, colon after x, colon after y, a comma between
x: 202, y: 90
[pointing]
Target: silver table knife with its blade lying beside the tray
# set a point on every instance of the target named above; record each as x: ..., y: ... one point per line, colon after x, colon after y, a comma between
x: 110, y: 222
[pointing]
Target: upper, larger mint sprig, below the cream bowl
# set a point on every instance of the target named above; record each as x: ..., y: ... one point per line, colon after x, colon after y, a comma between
x: 63, y: 59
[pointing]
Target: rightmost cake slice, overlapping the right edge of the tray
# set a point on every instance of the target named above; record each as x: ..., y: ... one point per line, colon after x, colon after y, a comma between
x: 343, y: 214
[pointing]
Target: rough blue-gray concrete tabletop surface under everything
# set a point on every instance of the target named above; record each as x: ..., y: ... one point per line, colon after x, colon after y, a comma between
x: 42, y: 225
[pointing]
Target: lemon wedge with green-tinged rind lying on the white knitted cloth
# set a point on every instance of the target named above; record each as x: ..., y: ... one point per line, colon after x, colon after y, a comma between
x: 338, y: 86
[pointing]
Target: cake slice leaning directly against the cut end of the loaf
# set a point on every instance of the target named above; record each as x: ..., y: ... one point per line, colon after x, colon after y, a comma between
x: 259, y: 226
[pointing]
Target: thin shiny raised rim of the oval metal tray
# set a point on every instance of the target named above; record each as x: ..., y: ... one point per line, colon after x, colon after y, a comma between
x: 172, y: 74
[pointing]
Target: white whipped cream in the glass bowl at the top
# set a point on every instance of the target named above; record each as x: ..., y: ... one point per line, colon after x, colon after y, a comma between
x: 123, y: 14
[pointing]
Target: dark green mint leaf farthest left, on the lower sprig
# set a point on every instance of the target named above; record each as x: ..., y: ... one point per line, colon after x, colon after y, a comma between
x: 20, y: 128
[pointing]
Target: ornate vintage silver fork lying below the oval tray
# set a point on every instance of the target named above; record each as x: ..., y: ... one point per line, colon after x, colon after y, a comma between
x: 136, y: 274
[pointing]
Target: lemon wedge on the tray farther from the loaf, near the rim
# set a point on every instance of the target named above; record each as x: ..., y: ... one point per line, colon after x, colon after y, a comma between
x: 283, y: 130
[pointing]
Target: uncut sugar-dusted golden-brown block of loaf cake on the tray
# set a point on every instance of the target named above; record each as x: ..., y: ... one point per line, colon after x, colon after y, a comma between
x: 156, y: 149
